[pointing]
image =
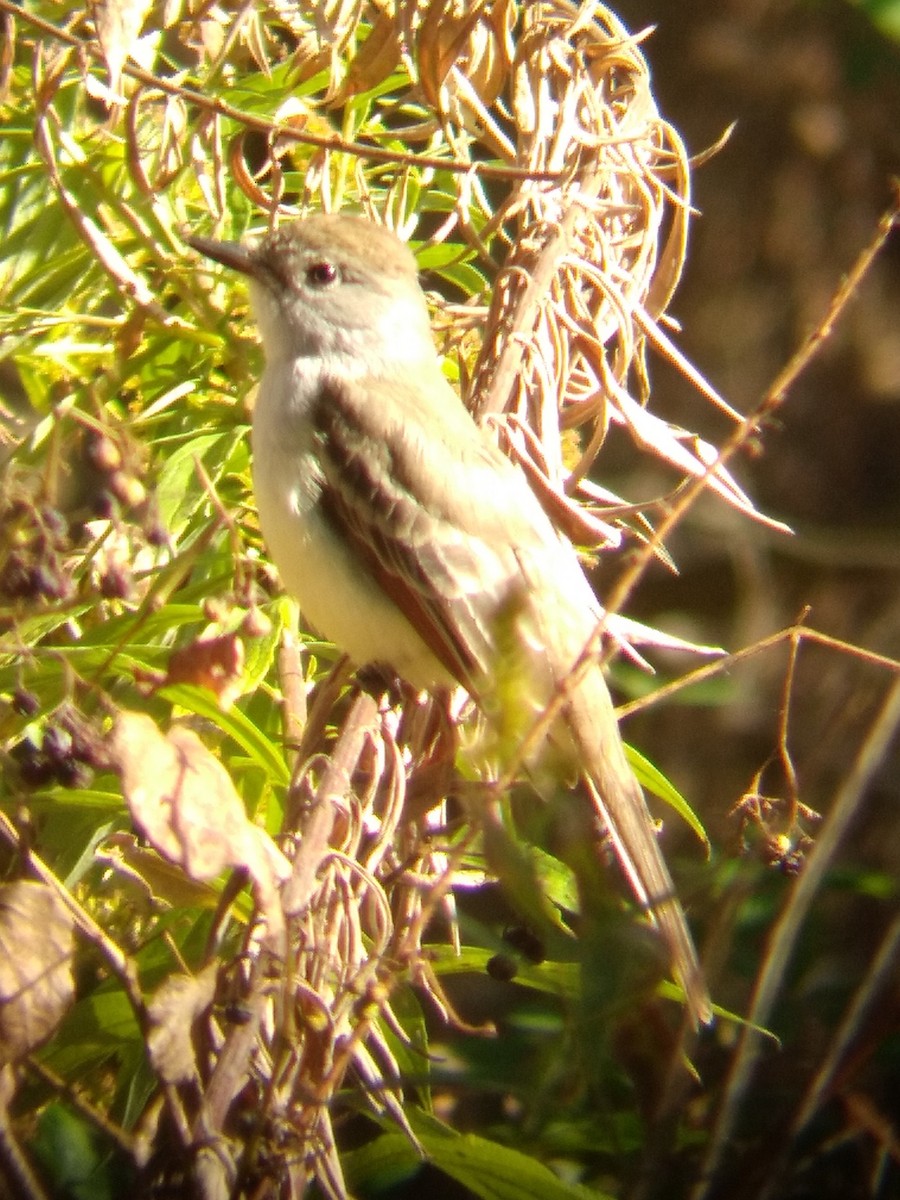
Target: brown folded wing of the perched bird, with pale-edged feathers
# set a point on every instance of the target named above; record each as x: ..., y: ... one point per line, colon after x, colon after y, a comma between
x: 430, y: 507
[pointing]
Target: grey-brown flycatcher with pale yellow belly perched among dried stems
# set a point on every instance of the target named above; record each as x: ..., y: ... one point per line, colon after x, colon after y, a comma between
x: 400, y: 527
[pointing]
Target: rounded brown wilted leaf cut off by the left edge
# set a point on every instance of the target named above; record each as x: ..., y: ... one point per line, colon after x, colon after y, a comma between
x: 37, y: 950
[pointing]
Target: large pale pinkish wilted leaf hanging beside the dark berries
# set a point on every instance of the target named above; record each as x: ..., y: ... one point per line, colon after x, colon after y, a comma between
x: 185, y: 805
